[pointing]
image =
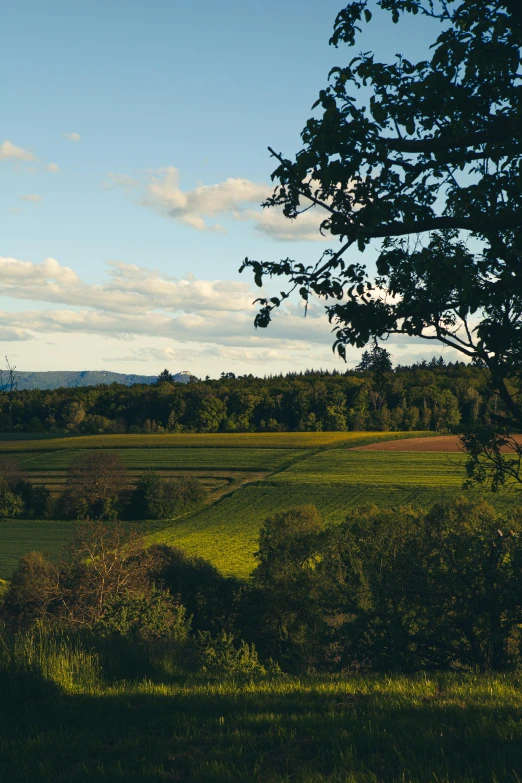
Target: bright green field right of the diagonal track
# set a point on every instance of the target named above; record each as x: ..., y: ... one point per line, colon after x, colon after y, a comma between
x: 335, y: 481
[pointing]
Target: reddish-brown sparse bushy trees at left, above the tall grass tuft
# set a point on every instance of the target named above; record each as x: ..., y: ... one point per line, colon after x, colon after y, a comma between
x: 104, y: 580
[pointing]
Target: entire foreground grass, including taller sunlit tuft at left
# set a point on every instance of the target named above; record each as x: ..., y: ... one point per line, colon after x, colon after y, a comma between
x: 63, y: 718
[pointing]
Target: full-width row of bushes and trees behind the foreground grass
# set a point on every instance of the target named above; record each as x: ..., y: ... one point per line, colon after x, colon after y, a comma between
x: 390, y: 589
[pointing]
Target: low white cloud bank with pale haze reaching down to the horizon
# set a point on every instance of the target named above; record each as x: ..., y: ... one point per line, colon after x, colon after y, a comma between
x: 145, y: 317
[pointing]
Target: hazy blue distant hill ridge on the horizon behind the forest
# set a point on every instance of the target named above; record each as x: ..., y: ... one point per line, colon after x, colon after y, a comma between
x: 64, y: 378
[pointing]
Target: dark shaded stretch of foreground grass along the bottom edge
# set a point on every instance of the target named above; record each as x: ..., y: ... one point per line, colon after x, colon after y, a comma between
x: 266, y: 732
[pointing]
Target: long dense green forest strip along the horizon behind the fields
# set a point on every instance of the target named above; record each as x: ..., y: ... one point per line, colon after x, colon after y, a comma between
x: 425, y: 396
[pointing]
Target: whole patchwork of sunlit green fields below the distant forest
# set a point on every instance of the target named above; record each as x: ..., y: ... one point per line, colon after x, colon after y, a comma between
x: 250, y: 477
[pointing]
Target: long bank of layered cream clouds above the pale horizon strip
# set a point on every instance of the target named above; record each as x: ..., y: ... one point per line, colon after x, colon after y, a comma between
x: 135, y: 302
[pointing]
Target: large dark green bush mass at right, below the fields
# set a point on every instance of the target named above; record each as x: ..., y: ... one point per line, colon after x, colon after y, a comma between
x: 392, y: 589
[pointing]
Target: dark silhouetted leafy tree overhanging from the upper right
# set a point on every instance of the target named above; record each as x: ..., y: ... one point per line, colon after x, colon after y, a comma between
x: 428, y: 160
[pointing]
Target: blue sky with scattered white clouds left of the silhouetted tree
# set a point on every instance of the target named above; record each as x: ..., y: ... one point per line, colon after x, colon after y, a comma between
x: 133, y: 162
